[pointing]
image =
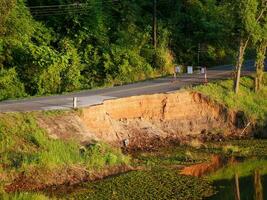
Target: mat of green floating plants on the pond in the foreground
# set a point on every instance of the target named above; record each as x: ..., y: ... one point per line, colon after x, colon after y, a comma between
x: 155, y: 184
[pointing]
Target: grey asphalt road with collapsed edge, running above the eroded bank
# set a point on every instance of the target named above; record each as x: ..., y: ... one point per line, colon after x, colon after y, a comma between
x: 97, y: 96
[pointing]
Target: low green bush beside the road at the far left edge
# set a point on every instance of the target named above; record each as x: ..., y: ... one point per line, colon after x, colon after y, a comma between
x: 10, y: 85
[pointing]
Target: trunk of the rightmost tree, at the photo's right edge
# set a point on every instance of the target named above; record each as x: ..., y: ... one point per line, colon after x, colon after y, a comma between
x: 261, y: 51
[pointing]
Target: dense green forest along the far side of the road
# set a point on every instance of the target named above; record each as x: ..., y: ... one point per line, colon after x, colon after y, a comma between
x: 55, y: 46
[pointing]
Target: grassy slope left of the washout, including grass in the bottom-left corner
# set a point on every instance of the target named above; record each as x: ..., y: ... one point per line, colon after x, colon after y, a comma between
x: 25, y: 148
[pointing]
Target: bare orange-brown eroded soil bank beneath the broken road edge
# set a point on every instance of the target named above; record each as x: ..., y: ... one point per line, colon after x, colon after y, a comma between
x: 148, y: 120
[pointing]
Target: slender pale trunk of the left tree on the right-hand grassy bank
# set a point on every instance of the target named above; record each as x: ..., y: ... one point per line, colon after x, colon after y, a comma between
x: 239, y: 63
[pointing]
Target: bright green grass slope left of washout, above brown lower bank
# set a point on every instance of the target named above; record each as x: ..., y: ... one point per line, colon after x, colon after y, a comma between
x: 23, y: 144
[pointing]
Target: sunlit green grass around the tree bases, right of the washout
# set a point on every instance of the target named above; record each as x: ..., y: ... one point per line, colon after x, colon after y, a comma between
x: 253, y: 104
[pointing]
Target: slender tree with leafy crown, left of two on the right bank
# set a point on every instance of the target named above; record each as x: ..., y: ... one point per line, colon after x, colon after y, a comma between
x: 249, y: 14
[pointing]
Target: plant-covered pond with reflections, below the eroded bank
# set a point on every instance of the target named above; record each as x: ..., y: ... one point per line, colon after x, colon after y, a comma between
x: 171, y: 173
